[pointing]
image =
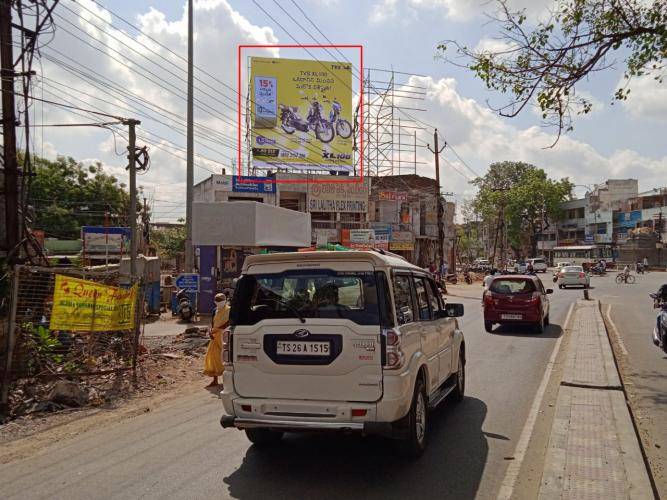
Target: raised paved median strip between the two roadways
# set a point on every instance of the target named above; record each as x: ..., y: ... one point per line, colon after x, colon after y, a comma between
x: 593, y: 450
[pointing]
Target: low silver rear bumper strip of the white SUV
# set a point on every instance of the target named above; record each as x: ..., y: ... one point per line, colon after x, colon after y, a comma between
x: 378, y: 428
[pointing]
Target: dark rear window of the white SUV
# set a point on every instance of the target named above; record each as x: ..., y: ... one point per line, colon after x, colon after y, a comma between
x: 309, y: 293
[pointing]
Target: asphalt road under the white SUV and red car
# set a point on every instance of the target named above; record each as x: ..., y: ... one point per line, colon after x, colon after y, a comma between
x: 180, y: 451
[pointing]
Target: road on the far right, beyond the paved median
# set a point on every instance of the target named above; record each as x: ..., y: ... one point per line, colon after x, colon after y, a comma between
x: 644, y: 367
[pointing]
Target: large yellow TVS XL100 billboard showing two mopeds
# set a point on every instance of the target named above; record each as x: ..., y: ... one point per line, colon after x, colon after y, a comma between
x: 301, y: 114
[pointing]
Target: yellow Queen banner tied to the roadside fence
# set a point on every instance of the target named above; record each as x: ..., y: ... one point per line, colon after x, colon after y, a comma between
x: 87, y: 306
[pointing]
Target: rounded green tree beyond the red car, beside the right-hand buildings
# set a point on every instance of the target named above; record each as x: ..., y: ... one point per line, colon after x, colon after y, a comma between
x: 524, y: 197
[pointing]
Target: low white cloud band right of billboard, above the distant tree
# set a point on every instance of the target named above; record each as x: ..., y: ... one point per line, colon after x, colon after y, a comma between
x: 480, y: 137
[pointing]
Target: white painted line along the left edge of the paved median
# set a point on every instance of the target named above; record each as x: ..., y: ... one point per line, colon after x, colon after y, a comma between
x: 507, y: 487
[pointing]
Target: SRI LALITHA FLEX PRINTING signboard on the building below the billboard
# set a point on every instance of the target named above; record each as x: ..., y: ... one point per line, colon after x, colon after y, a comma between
x: 338, y: 197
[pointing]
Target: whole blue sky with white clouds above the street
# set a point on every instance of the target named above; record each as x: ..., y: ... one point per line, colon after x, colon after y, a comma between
x: 96, y: 60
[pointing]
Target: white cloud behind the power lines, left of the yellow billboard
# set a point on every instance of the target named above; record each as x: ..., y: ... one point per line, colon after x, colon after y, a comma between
x: 218, y: 30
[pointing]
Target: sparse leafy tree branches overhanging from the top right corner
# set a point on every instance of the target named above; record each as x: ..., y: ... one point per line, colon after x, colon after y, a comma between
x: 541, y: 63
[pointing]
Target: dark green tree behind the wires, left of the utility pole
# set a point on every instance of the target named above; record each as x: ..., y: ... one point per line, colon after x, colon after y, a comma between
x: 66, y: 195
